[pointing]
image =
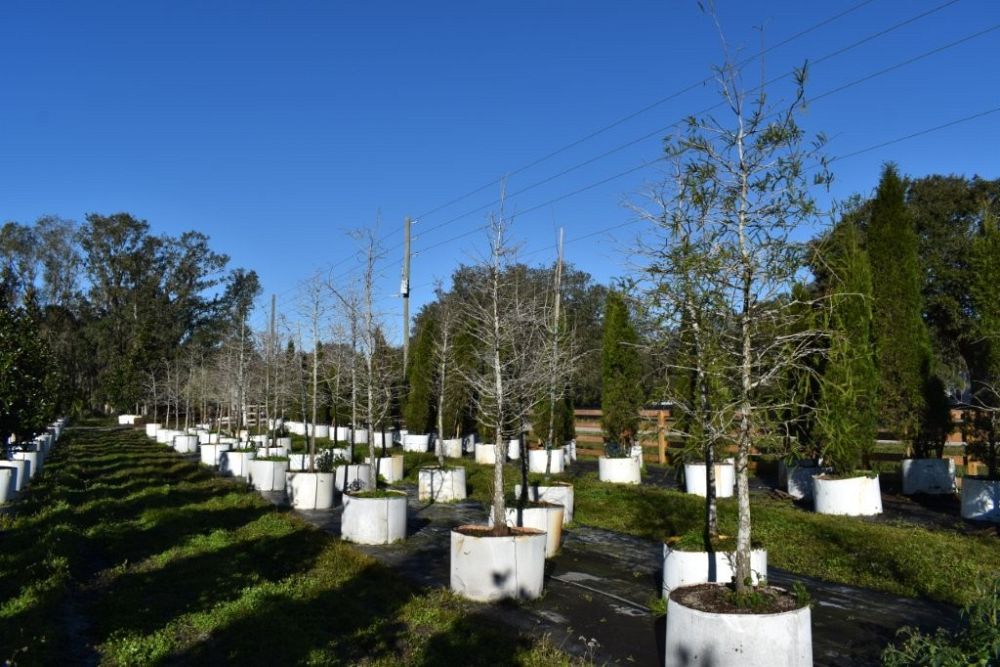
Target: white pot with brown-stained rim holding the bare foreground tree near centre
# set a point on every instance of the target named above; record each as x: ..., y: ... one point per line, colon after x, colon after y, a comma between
x: 487, y: 568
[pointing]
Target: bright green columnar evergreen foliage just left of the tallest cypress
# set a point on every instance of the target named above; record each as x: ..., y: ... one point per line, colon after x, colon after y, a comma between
x: 845, y: 417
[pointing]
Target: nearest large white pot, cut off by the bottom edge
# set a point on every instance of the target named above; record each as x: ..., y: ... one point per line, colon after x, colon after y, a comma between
x: 734, y: 640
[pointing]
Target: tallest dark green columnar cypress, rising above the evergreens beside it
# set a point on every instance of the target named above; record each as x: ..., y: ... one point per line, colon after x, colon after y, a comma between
x: 902, y: 343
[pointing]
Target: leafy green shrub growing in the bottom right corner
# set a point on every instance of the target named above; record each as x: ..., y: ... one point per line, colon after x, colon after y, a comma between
x: 977, y: 642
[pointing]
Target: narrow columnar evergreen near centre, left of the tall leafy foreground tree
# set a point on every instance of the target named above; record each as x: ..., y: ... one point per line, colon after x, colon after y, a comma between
x: 622, y: 396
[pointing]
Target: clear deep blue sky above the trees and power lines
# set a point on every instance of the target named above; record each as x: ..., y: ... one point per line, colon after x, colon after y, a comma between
x: 274, y: 127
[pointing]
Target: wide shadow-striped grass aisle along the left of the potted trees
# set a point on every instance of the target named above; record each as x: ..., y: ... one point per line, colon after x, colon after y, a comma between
x: 125, y: 554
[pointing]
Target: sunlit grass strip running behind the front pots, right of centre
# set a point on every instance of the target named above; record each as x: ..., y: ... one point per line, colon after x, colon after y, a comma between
x: 898, y: 558
